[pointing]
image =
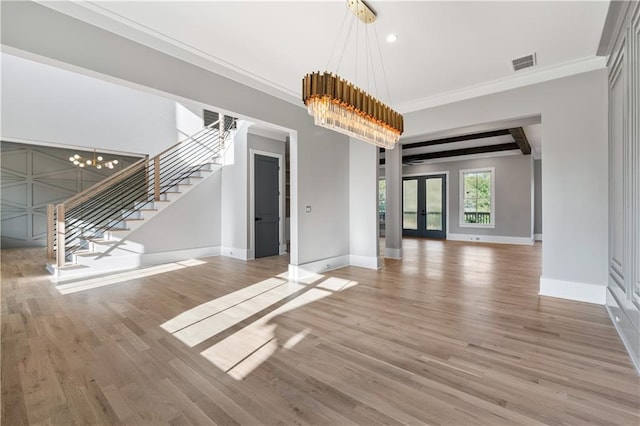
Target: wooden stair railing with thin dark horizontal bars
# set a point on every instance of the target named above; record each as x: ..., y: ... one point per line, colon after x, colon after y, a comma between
x: 105, y: 205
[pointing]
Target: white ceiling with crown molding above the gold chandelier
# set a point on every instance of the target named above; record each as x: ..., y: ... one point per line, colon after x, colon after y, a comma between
x: 446, y: 50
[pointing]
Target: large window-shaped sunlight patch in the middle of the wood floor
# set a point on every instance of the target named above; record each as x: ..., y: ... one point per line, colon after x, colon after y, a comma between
x: 246, y: 349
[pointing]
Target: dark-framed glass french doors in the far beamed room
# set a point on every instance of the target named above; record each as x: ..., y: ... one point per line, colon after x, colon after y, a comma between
x: 424, y: 206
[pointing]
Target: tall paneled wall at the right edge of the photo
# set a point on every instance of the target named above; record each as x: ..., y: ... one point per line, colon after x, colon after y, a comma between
x: 623, y: 295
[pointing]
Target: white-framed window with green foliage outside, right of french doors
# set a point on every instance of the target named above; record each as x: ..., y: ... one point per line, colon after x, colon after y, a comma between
x: 477, y: 205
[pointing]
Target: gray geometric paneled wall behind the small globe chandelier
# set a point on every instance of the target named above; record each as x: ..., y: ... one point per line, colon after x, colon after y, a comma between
x: 33, y: 176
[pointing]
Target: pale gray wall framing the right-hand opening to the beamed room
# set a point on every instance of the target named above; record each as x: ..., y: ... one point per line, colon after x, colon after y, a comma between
x: 574, y: 131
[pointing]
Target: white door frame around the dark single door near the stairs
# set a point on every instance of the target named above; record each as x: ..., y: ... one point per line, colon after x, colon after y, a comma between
x: 282, y: 247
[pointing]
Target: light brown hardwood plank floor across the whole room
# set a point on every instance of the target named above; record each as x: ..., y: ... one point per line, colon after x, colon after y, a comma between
x: 453, y: 334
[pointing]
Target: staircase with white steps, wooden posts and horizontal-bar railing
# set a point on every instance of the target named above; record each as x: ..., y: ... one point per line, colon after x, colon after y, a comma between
x: 88, y: 233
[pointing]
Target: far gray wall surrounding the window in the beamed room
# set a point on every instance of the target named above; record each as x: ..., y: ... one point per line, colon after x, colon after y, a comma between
x: 512, y: 193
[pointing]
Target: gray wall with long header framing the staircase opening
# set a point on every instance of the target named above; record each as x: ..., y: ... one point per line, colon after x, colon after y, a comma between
x: 314, y: 150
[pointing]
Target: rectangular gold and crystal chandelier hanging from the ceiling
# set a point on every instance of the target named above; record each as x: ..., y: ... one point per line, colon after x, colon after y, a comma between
x: 341, y: 106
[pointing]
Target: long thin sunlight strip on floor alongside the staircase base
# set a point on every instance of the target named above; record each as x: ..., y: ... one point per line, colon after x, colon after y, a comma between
x: 121, y: 277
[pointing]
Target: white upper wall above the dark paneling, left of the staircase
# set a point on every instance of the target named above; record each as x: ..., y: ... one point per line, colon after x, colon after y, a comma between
x: 42, y: 104
